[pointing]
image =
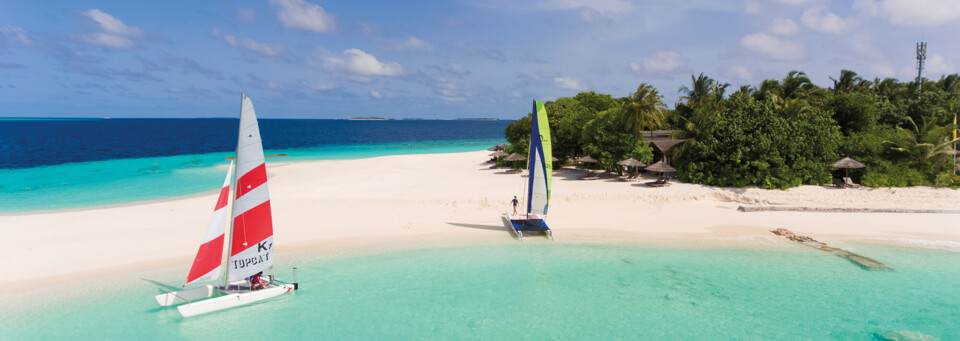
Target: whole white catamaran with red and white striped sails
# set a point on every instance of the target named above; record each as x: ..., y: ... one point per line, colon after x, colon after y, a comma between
x: 249, y: 241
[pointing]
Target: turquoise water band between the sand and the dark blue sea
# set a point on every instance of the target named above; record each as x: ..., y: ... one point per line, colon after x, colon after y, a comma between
x: 85, y: 184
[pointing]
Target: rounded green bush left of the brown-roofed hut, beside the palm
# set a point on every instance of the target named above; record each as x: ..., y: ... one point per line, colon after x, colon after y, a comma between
x: 606, y: 140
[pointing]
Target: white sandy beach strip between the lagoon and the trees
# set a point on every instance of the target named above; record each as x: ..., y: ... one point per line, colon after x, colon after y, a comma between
x: 452, y: 199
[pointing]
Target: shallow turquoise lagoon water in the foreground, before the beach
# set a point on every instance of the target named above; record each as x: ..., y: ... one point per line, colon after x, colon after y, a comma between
x: 545, y: 291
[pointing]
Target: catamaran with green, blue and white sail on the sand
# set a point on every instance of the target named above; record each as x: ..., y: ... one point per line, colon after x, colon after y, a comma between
x: 540, y: 165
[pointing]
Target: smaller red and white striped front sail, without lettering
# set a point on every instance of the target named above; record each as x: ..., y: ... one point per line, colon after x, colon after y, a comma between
x: 206, y: 266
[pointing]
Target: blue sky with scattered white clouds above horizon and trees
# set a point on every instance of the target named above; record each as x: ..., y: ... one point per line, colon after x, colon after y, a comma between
x: 436, y: 59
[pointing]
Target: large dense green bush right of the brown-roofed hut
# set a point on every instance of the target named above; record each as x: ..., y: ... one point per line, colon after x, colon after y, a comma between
x: 752, y: 145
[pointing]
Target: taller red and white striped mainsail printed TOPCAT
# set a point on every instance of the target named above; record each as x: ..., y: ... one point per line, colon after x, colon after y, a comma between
x: 251, y: 247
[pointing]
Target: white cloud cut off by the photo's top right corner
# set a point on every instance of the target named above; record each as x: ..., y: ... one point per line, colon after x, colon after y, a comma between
x: 915, y: 13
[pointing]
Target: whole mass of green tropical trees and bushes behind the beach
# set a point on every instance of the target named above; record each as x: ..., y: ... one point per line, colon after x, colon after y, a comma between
x: 779, y: 134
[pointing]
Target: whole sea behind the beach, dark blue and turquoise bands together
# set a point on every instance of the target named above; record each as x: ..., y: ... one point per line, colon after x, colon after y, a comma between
x: 51, y: 164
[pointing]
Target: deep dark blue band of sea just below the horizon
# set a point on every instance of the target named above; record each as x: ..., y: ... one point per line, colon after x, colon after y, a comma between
x: 31, y: 143
